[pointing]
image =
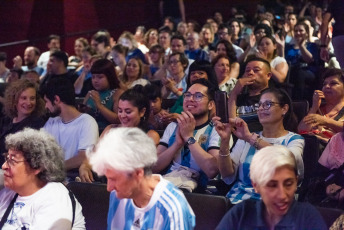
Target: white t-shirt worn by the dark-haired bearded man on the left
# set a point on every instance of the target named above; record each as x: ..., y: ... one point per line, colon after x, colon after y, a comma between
x: 78, y: 134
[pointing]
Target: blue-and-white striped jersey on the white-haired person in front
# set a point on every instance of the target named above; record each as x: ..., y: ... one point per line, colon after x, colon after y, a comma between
x: 167, y: 209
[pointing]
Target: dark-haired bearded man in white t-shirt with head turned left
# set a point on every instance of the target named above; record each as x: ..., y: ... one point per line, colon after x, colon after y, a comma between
x: 73, y: 131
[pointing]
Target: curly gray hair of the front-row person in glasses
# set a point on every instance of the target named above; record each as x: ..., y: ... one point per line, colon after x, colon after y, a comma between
x: 41, y: 151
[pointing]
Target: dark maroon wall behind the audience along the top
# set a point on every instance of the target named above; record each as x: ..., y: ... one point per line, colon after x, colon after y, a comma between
x: 30, y: 22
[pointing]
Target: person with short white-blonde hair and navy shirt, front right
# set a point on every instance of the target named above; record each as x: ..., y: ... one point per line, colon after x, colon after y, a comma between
x: 273, y: 172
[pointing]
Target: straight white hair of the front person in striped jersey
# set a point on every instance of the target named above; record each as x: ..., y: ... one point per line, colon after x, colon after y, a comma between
x: 124, y: 149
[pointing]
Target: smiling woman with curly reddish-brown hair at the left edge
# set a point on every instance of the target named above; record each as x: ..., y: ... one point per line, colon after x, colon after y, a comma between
x: 23, y: 107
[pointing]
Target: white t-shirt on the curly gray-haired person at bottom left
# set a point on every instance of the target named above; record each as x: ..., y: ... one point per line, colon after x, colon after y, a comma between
x: 48, y: 208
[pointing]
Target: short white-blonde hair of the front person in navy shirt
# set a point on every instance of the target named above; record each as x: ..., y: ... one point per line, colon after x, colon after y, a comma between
x: 267, y: 160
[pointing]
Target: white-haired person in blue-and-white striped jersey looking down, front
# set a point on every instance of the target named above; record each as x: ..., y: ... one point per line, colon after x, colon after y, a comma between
x: 138, y: 198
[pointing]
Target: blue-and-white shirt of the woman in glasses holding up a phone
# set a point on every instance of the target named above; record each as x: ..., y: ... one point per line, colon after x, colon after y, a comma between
x: 242, y: 155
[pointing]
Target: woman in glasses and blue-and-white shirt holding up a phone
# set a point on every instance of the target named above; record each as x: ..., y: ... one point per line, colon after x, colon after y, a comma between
x: 274, y: 113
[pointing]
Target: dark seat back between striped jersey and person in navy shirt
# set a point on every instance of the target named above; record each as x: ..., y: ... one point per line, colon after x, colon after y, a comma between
x: 209, y: 209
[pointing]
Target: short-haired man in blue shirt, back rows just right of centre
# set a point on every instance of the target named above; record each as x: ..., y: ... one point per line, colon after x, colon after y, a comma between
x: 195, y: 51
